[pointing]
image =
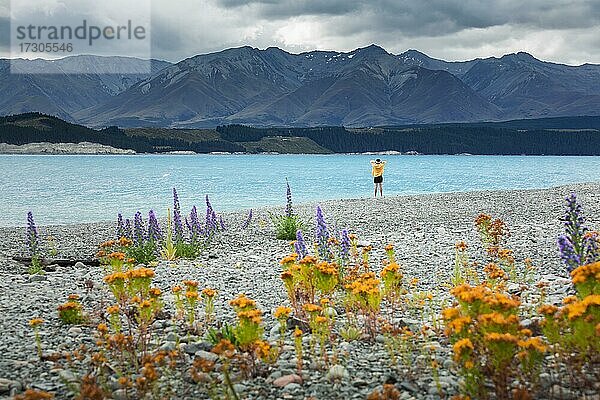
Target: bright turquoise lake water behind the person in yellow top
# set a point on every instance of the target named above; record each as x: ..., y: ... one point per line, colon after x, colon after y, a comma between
x: 72, y: 189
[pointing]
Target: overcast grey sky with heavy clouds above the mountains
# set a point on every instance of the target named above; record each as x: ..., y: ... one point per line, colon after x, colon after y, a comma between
x: 565, y: 31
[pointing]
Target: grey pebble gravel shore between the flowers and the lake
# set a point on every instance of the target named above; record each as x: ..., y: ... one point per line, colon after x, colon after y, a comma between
x: 424, y: 229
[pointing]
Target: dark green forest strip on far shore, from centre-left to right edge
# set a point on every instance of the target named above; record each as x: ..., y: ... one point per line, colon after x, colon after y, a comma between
x: 542, y: 136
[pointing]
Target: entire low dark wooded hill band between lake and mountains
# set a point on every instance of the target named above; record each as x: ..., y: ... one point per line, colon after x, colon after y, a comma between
x: 550, y: 136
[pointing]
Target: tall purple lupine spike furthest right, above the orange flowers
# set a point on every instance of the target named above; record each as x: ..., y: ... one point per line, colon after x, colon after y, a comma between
x: 571, y: 246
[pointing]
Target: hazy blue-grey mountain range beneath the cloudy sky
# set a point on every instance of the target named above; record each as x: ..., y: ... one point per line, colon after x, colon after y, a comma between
x: 271, y: 87
